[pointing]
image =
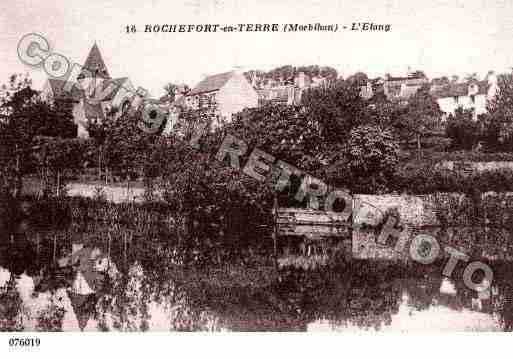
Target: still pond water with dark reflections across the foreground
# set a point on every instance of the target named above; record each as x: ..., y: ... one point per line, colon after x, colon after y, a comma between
x: 100, y: 267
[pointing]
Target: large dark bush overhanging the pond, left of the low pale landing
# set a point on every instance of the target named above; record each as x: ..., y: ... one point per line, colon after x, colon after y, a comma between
x: 217, y: 203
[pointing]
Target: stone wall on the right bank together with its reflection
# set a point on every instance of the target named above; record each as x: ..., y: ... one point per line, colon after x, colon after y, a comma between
x: 480, y: 231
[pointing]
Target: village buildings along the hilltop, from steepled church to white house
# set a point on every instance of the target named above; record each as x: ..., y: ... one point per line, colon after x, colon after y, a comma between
x: 232, y: 91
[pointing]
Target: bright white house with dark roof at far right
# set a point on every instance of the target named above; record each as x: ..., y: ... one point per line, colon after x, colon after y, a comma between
x: 469, y: 95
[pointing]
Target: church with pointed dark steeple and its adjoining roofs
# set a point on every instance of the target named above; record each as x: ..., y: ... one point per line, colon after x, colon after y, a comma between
x: 103, y: 95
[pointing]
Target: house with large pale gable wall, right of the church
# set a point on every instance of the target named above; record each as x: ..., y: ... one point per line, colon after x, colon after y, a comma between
x: 227, y: 93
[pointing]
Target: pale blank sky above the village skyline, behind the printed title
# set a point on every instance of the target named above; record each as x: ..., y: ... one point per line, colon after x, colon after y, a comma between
x: 439, y: 37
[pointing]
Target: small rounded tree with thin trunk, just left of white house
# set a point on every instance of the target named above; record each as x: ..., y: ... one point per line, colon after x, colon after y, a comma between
x: 422, y: 115
